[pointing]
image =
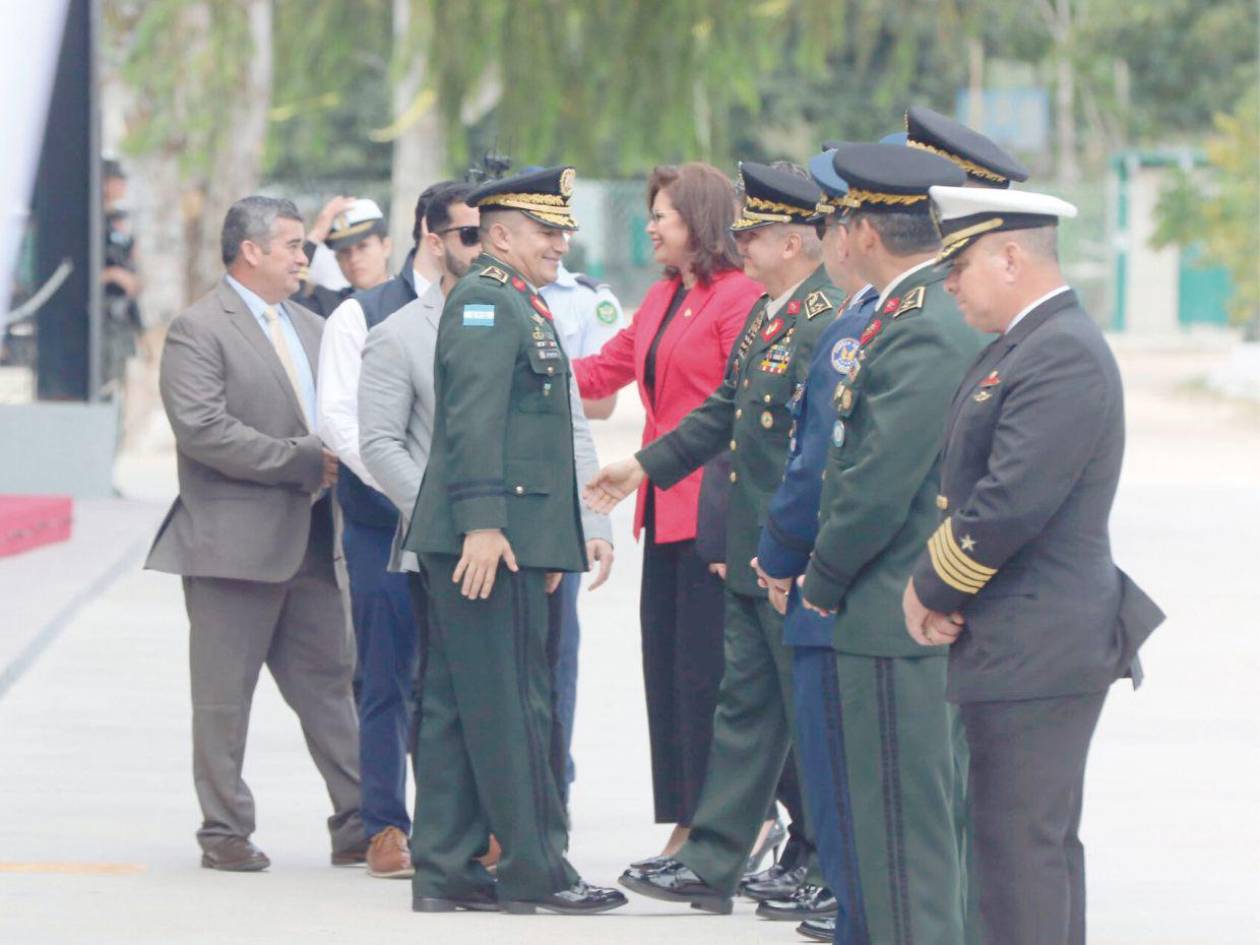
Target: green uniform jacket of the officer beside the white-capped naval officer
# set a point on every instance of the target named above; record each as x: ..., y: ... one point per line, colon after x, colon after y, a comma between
x: 879, y: 503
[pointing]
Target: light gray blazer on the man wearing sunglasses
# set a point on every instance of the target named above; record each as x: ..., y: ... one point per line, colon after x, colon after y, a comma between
x: 396, y: 415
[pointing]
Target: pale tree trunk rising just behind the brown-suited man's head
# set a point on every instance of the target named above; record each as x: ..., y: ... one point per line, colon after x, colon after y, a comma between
x: 236, y: 167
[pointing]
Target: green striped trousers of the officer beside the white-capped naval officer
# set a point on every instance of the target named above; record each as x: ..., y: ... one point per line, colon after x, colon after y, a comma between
x: 907, y: 763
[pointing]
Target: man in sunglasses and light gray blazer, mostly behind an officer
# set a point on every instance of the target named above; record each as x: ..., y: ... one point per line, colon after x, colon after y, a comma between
x: 396, y: 401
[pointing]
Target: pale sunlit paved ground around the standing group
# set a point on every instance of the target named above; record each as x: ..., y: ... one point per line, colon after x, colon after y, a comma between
x: 98, y: 810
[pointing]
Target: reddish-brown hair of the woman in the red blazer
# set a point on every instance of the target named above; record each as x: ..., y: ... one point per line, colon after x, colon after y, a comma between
x: 705, y: 198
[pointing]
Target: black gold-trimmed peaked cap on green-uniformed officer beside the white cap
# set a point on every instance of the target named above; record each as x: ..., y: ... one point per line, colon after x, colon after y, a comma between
x: 890, y: 178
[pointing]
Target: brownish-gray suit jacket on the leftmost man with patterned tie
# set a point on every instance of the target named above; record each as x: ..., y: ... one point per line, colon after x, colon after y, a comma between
x: 248, y: 464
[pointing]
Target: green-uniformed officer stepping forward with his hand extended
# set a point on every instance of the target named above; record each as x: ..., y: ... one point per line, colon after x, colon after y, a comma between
x: 778, y: 234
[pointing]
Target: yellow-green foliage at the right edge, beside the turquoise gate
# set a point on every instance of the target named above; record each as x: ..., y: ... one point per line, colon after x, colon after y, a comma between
x: 1223, y: 211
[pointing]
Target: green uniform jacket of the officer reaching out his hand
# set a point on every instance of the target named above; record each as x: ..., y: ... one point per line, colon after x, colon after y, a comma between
x: 750, y: 415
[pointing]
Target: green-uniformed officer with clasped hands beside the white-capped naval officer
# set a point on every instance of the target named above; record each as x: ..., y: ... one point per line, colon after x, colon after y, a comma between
x: 902, y: 740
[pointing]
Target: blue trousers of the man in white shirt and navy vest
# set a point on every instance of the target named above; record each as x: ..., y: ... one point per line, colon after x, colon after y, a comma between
x: 386, y: 638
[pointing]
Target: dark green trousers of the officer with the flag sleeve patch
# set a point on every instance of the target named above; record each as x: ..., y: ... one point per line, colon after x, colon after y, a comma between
x: 483, y: 753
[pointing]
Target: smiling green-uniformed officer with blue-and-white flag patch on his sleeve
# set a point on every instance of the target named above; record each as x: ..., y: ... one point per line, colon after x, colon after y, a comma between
x: 497, y: 525
